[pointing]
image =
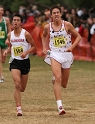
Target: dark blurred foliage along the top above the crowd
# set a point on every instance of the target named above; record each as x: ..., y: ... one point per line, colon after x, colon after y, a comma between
x: 13, y: 5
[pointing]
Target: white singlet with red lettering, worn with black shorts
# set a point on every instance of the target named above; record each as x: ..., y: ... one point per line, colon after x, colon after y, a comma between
x: 19, y: 45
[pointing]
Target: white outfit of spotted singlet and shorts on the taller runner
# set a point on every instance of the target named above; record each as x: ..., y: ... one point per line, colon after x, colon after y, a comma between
x: 59, y: 42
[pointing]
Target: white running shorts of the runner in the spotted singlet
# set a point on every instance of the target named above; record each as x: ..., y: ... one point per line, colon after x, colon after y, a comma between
x: 65, y: 58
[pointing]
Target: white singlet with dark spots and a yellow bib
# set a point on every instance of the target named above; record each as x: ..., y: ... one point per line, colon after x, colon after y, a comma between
x: 59, y: 40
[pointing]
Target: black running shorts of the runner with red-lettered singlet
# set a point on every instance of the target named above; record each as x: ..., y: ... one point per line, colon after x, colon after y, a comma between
x: 22, y: 65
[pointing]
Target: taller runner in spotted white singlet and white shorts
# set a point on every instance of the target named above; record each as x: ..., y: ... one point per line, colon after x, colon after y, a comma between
x: 59, y: 55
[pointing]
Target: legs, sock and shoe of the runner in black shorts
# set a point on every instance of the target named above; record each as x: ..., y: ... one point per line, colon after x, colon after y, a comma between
x: 20, y: 85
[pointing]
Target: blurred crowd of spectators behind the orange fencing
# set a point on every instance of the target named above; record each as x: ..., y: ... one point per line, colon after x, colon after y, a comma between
x: 80, y: 18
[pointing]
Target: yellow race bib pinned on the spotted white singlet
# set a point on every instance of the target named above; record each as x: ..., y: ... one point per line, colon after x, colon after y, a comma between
x: 59, y: 42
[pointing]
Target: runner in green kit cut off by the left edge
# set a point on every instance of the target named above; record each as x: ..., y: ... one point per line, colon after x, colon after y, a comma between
x: 4, y: 29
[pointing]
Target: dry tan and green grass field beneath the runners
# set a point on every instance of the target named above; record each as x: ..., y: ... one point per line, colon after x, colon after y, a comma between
x: 38, y: 101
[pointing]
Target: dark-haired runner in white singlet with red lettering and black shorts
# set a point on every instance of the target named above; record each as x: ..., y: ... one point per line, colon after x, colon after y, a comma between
x: 21, y: 45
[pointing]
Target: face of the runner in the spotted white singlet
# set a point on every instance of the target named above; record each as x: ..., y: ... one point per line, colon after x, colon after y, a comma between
x: 56, y: 15
